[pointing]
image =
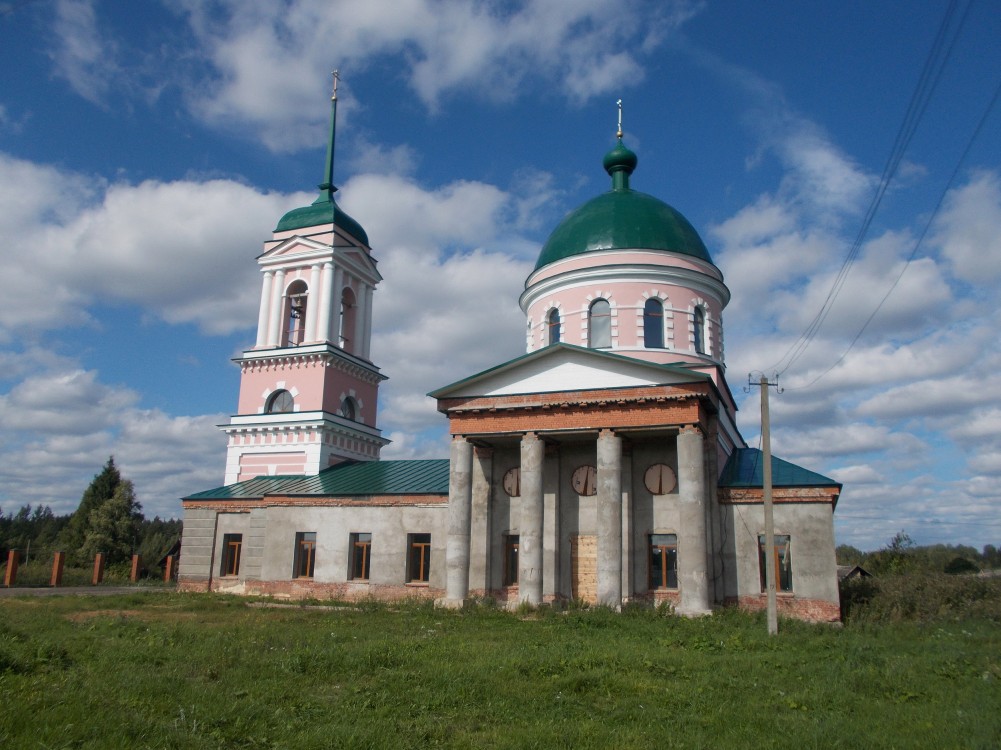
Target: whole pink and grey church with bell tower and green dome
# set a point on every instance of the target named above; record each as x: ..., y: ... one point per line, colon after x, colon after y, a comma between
x: 605, y: 465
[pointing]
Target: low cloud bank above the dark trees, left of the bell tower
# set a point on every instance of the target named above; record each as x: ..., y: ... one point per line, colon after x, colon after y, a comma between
x: 60, y: 425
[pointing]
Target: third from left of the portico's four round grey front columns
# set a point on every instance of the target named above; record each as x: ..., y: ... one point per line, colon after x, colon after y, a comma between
x: 610, y: 520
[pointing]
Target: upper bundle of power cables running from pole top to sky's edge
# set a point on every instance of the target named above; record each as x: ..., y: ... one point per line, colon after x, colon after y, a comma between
x: 931, y: 74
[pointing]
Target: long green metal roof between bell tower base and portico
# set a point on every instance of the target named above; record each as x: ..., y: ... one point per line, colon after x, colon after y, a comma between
x: 421, y: 477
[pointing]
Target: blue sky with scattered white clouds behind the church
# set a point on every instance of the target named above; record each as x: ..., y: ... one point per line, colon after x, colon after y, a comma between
x: 148, y: 150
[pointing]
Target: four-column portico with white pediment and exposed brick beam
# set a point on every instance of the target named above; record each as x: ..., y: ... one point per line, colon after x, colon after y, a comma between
x: 564, y: 474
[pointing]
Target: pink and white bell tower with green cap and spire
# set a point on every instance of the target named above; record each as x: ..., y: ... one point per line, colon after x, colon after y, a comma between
x: 309, y: 391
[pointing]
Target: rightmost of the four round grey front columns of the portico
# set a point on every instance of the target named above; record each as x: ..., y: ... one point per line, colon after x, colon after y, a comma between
x: 693, y: 559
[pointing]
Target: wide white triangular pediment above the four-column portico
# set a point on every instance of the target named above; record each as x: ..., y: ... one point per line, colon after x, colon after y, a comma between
x: 565, y: 368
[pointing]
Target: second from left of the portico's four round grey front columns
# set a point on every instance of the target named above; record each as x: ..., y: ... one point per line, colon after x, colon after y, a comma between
x: 530, y: 556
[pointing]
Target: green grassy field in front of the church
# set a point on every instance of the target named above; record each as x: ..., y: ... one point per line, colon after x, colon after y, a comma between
x: 191, y: 671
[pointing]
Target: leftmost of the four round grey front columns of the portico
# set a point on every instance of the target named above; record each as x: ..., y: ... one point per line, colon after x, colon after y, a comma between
x: 457, y: 556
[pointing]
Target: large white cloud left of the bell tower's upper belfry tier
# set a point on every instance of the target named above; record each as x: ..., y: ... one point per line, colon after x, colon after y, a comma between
x: 182, y: 251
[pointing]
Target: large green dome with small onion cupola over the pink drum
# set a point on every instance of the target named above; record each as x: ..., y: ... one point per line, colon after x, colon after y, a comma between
x: 623, y: 219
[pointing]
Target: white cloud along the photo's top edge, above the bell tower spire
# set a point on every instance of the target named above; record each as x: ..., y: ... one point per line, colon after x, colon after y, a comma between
x: 267, y: 59
